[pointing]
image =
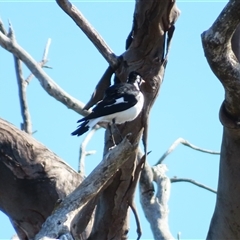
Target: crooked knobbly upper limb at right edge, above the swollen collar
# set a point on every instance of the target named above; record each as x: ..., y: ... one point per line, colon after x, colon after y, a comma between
x: 223, y: 62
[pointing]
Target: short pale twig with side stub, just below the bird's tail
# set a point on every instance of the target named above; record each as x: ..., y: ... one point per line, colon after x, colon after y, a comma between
x: 82, y: 151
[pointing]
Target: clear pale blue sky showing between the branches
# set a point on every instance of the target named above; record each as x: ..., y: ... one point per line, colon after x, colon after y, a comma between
x: 187, y: 106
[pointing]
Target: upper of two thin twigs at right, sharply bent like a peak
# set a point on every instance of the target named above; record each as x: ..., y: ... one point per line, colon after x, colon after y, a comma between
x: 186, y: 143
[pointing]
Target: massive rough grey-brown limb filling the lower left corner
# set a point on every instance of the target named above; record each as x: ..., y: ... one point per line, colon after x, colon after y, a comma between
x: 32, y: 179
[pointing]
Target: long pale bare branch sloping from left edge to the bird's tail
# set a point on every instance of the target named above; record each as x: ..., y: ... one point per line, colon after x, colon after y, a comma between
x: 46, y: 82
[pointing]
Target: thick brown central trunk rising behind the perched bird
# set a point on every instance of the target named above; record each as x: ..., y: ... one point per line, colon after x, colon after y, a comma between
x: 146, y: 55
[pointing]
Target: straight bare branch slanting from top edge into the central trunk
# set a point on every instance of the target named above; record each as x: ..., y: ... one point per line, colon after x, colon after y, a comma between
x: 90, y: 32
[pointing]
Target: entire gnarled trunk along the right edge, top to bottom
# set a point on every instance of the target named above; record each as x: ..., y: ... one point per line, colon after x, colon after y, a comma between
x: 222, y: 60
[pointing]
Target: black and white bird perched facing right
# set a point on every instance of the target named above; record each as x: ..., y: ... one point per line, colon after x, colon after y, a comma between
x: 122, y: 103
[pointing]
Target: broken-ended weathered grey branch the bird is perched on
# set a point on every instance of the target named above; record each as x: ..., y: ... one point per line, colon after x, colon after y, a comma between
x: 55, y: 225
